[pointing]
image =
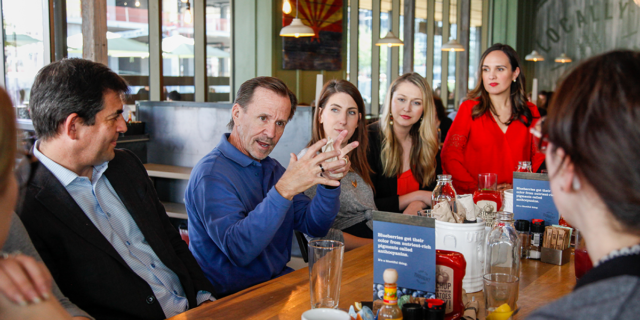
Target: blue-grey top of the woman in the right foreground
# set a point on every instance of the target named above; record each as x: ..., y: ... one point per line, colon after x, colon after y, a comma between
x: 608, y: 299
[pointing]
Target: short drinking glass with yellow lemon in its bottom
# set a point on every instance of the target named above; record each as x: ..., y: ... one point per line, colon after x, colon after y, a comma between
x: 500, y: 291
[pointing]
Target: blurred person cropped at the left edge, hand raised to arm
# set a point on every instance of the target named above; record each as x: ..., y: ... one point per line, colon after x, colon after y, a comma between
x: 25, y: 284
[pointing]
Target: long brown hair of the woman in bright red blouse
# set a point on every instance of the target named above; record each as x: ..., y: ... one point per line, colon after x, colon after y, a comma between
x: 518, y: 96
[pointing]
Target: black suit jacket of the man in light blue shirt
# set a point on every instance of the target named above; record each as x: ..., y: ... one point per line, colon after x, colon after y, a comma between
x: 82, y: 261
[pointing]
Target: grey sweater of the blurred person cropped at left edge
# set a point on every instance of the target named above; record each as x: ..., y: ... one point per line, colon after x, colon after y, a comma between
x: 18, y: 240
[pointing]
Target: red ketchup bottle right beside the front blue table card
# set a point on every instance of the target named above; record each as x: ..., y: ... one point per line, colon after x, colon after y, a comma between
x: 450, y: 269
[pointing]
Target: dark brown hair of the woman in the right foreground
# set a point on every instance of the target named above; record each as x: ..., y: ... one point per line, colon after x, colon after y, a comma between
x: 594, y: 117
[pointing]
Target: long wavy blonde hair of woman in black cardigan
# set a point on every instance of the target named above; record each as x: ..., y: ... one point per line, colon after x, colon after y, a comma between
x: 424, y: 135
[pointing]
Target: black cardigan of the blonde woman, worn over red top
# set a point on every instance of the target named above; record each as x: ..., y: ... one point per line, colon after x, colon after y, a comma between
x: 386, y: 188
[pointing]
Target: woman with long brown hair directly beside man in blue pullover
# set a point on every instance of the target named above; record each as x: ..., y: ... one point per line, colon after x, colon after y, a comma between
x: 340, y: 108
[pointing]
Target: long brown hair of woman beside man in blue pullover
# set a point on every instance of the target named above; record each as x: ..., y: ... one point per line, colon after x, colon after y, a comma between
x: 358, y: 157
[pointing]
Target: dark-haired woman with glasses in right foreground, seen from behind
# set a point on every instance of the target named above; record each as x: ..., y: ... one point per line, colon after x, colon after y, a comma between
x: 593, y: 159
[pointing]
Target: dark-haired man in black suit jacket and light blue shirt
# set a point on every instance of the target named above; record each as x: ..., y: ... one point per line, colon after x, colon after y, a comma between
x: 92, y: 211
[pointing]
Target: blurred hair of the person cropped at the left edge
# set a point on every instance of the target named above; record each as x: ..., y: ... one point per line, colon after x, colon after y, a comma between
x: 8, y: 142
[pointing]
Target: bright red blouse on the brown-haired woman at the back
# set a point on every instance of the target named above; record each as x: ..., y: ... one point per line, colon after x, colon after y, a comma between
x: 479, y: 146
